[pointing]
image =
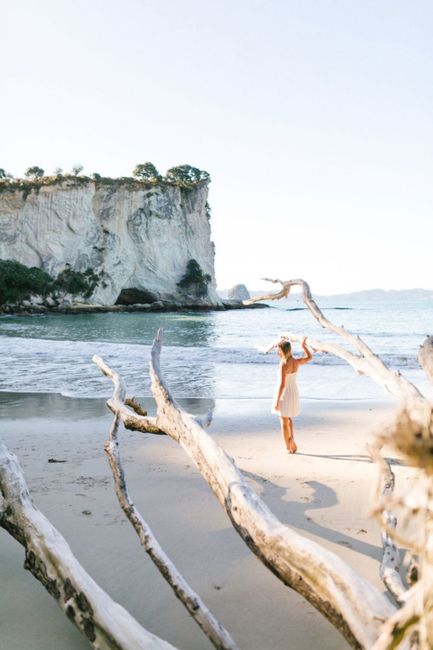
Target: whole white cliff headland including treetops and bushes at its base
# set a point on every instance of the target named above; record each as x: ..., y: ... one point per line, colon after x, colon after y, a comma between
x: 102, y: 241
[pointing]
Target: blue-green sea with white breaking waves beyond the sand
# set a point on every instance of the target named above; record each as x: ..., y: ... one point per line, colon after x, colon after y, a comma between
x: 210, y: 354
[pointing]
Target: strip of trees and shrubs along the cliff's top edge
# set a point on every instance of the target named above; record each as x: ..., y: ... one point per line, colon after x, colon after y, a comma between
x: 143, y: 175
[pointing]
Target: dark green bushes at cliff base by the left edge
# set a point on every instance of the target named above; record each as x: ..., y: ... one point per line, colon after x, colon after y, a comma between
x: 18, y: 282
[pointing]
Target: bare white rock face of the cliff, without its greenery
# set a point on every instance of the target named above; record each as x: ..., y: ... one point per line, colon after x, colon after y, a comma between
x: 135, y: 237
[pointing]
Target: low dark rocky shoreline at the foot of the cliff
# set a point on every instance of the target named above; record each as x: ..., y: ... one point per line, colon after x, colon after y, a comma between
x: 28, y: 309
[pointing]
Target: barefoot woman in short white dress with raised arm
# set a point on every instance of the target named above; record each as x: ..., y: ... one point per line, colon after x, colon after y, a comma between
x: 286, y: 401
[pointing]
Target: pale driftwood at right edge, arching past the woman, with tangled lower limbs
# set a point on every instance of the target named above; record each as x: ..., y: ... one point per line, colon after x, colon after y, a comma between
x: 412, y: 434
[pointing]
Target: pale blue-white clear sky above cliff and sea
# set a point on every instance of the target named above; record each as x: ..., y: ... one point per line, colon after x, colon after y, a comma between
x: 314, y: 119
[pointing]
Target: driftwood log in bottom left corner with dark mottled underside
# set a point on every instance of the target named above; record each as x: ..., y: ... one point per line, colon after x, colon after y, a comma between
x: 106, y: 624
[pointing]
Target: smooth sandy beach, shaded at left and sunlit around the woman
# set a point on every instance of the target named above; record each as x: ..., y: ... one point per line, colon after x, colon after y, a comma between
x: 324, y: 492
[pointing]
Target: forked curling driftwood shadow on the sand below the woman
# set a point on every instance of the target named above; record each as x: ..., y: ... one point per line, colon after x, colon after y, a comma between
x: 294, y: 513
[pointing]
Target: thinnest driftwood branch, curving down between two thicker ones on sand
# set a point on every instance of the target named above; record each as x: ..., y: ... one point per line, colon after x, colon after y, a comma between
x: 220, y: 638
